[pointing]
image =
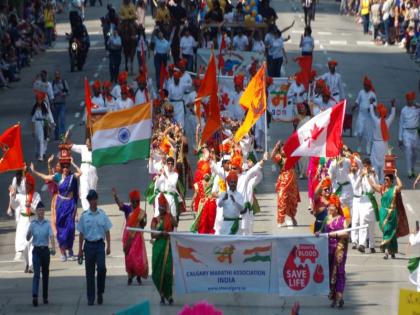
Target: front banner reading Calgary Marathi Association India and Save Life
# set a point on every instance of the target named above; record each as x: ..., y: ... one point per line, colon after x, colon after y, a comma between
x: 278, y: 265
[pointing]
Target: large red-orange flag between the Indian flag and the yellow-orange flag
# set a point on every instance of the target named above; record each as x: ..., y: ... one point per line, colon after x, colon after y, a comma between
x: 209, y: 88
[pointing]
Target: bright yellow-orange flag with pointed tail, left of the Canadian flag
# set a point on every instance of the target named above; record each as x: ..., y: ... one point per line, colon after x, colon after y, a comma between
x: 254, y: 99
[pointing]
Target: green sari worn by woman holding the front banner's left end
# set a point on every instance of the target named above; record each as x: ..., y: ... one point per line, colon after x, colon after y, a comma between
x: 162, y: 259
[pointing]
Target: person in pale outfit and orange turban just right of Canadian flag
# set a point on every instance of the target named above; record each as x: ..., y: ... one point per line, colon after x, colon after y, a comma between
x: 363, y: 130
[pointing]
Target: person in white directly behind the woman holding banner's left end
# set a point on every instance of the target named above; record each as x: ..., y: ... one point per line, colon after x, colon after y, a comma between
x: 166, y: 183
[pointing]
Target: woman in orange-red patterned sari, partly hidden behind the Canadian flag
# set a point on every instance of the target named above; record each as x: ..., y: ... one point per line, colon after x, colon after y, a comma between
x: 286, y: 188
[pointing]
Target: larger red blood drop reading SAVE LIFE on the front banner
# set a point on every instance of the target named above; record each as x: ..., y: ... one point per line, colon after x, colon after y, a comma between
x: 296, y: 277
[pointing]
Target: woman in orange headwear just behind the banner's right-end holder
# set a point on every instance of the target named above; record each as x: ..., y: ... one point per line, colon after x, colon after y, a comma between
x: 321, y: 201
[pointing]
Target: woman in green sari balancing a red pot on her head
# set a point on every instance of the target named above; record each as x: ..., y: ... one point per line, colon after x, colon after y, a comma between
x: 388, y: 213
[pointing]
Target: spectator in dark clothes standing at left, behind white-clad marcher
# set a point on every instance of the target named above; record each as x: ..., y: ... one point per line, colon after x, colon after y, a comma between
x: 61, y: 90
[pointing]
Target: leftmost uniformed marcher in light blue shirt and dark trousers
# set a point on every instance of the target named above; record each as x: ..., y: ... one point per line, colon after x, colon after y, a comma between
x: 41, y: 233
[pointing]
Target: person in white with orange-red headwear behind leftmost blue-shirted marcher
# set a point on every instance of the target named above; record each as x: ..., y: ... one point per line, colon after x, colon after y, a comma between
x: 25, y: 211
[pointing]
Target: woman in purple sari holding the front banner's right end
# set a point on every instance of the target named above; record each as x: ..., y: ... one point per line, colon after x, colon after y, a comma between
x: 337, y: 249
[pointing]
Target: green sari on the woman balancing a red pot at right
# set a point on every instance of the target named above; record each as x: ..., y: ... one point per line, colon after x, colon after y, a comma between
x: 388, y: 220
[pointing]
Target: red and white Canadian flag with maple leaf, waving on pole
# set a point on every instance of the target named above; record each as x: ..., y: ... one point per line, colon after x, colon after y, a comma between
x: 321, y: 136
